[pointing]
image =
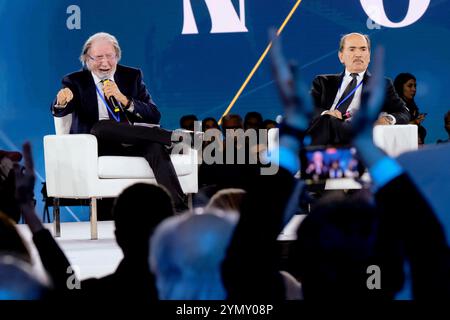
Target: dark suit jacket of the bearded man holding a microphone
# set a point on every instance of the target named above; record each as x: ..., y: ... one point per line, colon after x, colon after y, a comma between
x: 84, y: 106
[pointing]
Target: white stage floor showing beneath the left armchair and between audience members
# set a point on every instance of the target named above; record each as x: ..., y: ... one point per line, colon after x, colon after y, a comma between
x: 97, y: 258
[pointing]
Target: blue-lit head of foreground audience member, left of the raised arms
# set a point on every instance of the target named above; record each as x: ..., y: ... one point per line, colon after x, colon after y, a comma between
x: 186, y: 255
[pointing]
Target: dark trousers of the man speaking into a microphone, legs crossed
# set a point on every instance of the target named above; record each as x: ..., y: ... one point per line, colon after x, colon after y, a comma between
x: 143, y: 142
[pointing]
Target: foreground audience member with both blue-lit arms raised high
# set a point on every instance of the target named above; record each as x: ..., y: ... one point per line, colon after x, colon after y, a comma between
x: 388, y: 233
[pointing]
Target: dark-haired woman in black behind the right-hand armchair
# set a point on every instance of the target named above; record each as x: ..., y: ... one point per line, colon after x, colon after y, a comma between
x: 405, y: 84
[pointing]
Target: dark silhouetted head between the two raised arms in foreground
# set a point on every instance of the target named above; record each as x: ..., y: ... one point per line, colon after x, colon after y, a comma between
x: 337, y: 243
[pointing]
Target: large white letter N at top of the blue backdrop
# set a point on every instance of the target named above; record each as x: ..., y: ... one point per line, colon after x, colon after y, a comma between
x: 224, y: 18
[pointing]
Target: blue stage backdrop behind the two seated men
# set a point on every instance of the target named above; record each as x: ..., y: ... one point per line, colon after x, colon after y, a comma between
x: 196, y: 54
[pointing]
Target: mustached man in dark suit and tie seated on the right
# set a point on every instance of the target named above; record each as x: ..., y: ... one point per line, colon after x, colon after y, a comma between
x: 338, y: 96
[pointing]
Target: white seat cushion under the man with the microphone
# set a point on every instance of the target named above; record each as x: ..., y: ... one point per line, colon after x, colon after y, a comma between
x: 119, y: 167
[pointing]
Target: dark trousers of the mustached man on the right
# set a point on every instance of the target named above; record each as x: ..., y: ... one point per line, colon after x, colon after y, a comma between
x: 329, y: 130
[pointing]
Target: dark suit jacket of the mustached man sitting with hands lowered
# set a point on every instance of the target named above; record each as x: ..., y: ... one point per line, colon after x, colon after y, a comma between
x: 325, y: 88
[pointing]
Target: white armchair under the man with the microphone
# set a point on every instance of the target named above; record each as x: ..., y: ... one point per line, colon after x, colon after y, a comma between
x: 74, y: 170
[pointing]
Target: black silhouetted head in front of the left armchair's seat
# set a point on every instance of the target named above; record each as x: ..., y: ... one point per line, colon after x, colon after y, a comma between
x: 137, y: 211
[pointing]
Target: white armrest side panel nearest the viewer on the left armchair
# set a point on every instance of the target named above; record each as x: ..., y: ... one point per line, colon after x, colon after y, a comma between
x: 71, y: 165
